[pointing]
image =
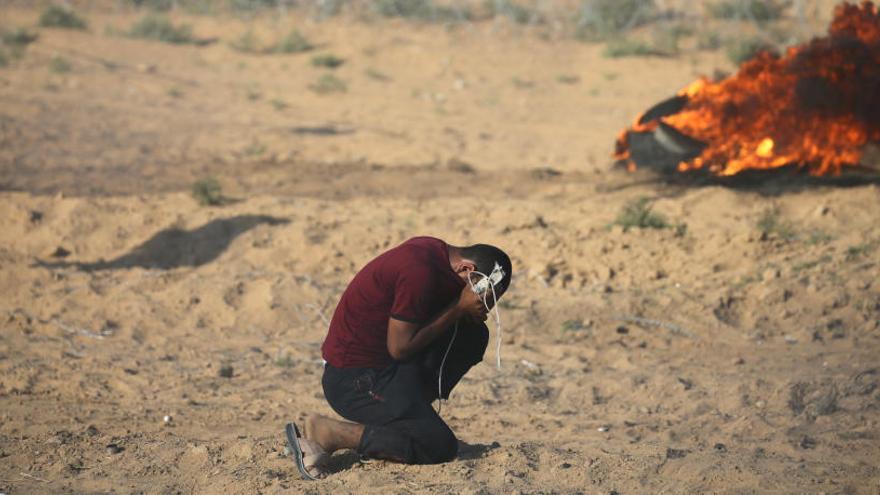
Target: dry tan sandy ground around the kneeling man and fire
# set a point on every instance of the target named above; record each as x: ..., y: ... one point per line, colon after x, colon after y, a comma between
x: 712, y: 358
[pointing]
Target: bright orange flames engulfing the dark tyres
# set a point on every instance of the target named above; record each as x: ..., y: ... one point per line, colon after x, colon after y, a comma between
x: 815, y: 107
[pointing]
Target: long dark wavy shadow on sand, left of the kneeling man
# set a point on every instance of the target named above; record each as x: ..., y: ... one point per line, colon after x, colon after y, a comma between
x: 173, y: 247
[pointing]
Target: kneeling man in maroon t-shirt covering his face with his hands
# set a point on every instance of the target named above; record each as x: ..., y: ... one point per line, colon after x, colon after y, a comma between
x: 405, y: 331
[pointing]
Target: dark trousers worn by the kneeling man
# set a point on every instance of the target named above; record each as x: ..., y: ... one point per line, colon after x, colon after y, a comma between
x: 394, y: 403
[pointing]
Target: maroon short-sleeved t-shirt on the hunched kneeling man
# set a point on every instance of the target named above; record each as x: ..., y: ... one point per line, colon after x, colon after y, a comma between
x: 412, y: 282
